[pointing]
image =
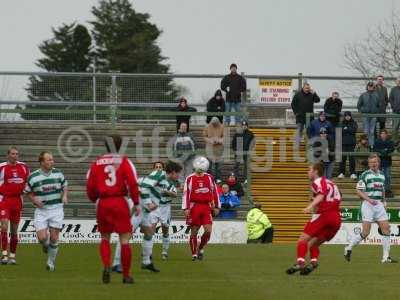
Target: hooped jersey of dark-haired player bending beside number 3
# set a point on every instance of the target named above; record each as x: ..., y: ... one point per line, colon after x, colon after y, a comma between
x: 151, y: 187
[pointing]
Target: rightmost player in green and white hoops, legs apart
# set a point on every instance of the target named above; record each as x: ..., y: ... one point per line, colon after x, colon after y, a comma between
x: 371, y: 189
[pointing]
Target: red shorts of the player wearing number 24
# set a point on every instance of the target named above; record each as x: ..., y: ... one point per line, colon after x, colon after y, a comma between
x: 324, y: 226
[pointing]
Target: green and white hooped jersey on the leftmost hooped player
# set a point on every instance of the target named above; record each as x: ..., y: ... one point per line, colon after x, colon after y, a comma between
x: 47, y: 187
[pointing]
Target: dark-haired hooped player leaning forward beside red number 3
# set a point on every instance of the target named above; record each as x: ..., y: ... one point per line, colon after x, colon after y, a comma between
x: 152, y: 190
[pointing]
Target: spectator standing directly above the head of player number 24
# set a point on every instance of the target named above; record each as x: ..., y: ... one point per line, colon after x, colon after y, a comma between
x: 323, y: 150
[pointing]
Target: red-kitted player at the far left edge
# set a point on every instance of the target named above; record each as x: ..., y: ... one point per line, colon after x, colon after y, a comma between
x: 13, y: 176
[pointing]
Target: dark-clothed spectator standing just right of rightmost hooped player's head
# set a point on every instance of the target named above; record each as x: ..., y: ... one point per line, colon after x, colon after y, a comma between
x: 384, y: 146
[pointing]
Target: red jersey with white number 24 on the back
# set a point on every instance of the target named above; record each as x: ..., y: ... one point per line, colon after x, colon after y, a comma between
x: 331, y: 193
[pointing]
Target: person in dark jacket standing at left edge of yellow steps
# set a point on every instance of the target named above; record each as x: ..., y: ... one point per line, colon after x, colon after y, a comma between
x: 242, y: 144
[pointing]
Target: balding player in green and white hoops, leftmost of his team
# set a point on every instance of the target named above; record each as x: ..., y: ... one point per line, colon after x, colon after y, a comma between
x: 47, y: 189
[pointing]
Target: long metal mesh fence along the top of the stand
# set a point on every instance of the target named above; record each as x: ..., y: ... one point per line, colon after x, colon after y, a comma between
x: 96, y: 96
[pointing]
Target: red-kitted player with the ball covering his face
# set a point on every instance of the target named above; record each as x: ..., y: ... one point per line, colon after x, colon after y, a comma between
x: 200, y: 201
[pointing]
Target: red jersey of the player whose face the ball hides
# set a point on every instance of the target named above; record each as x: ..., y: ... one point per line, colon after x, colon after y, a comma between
x: 200, y: 189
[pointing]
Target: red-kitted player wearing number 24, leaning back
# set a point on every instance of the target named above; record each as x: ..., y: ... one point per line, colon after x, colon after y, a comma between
x: 325, y: 221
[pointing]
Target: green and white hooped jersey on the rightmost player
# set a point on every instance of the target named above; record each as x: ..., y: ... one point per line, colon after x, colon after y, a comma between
x: 373, y: 184
